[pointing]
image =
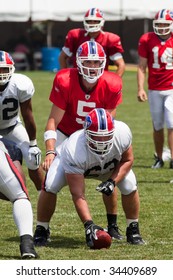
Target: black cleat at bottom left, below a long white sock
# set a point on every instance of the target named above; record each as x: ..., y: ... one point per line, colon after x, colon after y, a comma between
x: 27, y: 247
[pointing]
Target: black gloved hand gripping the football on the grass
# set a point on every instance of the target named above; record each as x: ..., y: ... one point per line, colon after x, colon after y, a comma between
x: 90, y: 232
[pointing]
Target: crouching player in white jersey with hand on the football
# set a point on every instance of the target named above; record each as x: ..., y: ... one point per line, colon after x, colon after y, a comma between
x: 102, y: 151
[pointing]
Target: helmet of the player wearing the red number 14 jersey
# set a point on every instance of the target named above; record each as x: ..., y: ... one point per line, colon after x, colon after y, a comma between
x: 163, y: 17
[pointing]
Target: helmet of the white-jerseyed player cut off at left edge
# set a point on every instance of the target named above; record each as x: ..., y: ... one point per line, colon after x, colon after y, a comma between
x: 6, y: 67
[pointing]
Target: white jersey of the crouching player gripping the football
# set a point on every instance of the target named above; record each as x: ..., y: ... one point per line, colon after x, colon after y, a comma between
x: 78, y: 159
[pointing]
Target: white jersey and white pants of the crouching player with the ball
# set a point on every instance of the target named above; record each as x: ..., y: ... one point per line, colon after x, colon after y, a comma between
x: 73, y: 156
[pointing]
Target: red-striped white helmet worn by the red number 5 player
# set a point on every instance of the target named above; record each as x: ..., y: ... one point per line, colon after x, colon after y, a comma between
x: 90, y: 50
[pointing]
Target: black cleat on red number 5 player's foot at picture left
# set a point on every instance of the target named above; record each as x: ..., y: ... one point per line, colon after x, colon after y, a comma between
x: 41, y: 236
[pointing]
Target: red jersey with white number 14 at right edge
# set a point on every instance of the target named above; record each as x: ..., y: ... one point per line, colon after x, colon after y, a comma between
x: 159, y: 54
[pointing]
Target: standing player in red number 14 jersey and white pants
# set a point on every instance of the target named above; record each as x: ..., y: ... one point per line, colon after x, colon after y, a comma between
x: 155, y: 52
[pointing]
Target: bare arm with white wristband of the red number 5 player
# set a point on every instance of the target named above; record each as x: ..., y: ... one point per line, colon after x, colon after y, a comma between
x: 50, y: 135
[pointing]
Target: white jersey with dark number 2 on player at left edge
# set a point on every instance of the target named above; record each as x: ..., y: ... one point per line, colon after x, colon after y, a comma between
x: 19, y: 89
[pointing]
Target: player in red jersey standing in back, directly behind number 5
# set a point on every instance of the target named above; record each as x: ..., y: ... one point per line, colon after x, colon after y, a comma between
x: 93, y: 30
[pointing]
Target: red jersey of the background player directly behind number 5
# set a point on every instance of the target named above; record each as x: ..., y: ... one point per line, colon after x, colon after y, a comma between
x: 110, y: 42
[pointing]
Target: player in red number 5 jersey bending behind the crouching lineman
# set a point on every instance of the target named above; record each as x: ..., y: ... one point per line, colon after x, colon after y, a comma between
x: 74, y: 94
